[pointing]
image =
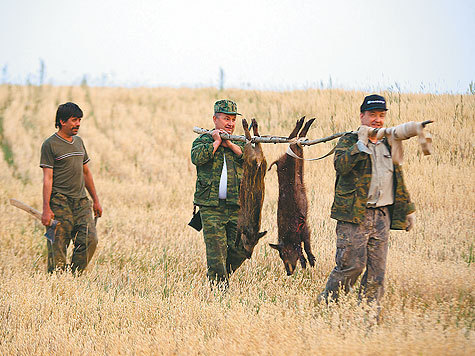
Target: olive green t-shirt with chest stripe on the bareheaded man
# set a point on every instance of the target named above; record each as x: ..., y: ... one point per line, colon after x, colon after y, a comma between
x: 67, y: 160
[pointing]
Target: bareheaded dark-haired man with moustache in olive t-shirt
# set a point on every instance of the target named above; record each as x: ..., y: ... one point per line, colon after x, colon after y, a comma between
x: 65, y: 175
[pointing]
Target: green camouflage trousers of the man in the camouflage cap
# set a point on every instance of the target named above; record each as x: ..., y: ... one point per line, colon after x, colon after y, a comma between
x: 219, y: 230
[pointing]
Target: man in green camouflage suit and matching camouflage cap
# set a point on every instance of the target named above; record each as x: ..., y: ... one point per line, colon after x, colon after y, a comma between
x: 219, y: 169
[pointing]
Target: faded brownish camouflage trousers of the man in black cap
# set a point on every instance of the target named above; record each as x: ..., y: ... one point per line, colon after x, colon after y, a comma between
x: 361, y: 246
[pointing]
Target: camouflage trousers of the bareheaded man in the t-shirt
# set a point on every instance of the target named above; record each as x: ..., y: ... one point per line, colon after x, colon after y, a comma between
x: 77, y: 225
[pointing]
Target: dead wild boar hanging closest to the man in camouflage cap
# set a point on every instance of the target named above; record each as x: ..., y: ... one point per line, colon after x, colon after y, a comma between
x: 251, y: 195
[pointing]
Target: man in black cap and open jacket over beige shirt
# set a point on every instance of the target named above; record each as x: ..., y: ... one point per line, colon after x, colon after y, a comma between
x: 370, y: 199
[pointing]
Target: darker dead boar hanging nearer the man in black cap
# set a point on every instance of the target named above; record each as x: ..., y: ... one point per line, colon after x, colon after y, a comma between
x: 292, y: 207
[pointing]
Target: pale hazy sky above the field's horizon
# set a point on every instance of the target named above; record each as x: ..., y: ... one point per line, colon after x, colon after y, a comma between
x: 280, y: 44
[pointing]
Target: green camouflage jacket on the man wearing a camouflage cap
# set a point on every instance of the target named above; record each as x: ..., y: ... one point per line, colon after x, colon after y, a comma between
x: 209, y: 168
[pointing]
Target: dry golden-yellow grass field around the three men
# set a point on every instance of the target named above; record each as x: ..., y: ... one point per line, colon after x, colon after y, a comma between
x: 145, y: 292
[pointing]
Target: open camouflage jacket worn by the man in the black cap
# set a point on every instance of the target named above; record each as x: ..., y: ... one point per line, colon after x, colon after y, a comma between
x: 353, y: 178
